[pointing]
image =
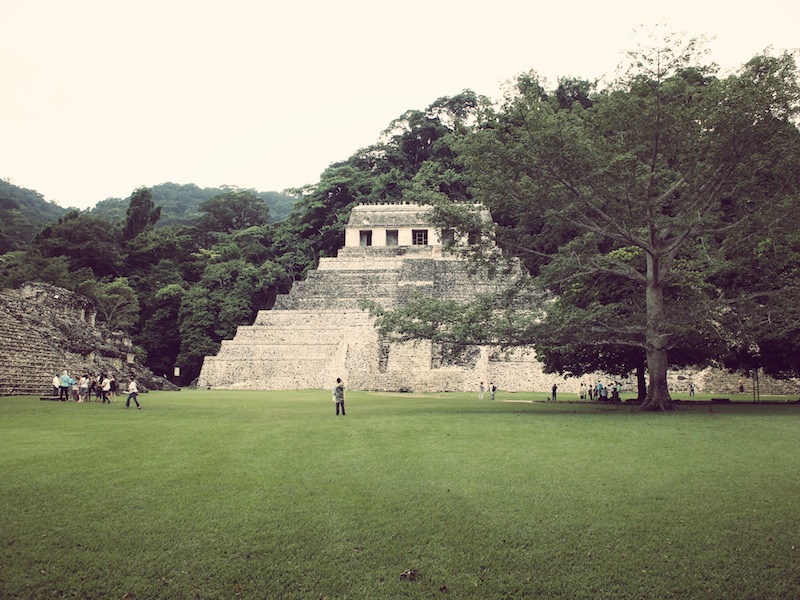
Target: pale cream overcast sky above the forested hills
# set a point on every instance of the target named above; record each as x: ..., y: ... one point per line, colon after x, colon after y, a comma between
x: 99, y: 97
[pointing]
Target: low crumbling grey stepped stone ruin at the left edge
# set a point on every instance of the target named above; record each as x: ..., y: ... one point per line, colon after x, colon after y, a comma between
x: 45, y: 329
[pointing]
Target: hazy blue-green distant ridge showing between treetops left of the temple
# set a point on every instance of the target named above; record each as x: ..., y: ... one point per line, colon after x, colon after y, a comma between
x: 180, y: 203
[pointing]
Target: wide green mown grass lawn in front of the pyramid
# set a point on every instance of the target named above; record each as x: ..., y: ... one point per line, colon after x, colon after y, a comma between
x: 213, y: 494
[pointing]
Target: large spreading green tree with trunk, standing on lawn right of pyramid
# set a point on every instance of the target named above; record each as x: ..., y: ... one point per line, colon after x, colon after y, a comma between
x: 633, y: 203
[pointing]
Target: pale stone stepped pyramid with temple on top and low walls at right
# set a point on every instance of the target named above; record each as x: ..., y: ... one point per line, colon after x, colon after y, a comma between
x: 318, y: 331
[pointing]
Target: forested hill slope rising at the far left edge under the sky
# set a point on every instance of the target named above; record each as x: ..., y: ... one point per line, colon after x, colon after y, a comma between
x: 23, y: 213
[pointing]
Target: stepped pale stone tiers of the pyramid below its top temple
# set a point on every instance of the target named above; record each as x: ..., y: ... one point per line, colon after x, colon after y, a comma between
x: 318, y: 332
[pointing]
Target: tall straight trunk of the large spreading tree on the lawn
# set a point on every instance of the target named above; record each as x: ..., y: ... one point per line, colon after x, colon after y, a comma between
x: 657, y: 397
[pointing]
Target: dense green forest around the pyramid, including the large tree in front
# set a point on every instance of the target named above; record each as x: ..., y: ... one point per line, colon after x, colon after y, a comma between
x: 655, y: 218
